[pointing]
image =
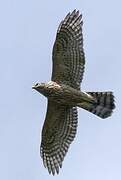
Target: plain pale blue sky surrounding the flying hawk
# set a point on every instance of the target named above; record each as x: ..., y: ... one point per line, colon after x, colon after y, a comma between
x: 27, y: 34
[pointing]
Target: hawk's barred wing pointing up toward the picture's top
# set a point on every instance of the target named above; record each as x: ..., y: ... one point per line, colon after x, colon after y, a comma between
x: 68, y: 55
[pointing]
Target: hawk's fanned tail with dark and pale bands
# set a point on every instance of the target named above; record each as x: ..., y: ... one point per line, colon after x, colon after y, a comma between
x: 103, y: 106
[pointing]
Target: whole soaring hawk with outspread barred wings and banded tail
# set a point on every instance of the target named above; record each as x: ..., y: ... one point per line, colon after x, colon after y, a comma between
x: 64, y: 94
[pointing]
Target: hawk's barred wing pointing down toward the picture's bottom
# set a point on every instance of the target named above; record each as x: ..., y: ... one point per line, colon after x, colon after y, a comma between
x: 58, y: 132
